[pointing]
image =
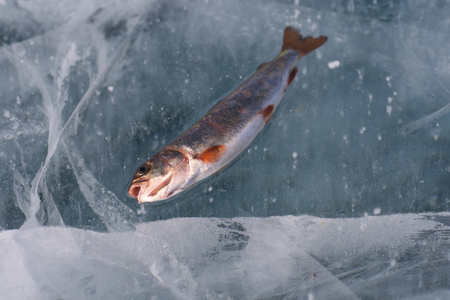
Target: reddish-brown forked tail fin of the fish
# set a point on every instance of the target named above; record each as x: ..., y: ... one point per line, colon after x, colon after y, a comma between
x: 294, y: 40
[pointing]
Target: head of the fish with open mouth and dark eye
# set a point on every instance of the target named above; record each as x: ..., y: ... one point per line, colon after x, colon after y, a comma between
x: 162, y: 176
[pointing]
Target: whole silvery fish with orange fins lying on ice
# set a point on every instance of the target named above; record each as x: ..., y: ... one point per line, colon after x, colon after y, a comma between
x: 226, y: 129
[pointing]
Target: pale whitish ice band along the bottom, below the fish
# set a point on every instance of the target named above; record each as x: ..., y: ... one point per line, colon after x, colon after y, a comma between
x: 241, y: 258
